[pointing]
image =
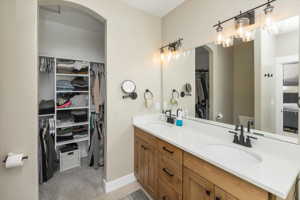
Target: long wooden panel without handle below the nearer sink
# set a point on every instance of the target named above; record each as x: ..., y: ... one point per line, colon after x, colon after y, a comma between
x: 228, y: 182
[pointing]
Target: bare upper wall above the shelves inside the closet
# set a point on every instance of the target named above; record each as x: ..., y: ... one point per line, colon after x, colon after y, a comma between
x: 66, y: 41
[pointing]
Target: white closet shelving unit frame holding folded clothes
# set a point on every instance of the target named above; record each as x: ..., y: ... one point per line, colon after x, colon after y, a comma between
x: 57, y: 110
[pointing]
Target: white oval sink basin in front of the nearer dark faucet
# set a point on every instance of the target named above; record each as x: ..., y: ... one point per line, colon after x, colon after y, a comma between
x: 232, y: 156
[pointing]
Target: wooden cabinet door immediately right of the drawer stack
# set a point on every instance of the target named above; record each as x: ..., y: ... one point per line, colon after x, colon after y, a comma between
x: 195, y: 187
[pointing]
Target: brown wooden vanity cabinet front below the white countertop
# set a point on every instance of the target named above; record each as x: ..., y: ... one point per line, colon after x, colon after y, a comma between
x: 168, y: 173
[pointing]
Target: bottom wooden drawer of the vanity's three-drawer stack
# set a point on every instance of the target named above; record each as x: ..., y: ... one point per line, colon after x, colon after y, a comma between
x: 165, y: 192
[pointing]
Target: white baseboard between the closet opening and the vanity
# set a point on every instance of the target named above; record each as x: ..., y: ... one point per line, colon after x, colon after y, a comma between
x: 110, y: 186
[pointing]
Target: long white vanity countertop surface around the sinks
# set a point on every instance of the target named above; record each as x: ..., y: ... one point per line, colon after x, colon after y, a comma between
x: 276, y: 173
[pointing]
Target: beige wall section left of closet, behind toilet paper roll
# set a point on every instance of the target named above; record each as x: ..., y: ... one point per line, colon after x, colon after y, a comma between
x: 18, y: 102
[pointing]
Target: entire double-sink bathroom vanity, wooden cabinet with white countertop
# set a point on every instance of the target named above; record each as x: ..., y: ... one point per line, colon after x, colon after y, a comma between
x: 200, y: 162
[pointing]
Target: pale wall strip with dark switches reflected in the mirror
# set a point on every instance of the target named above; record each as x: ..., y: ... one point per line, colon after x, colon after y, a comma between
x: 265, y: 47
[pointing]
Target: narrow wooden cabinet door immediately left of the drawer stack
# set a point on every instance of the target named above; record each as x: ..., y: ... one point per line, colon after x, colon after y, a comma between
x: 151, y: 178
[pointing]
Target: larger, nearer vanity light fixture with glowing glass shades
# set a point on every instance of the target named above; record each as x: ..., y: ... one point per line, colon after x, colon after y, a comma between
x: 242, y: 25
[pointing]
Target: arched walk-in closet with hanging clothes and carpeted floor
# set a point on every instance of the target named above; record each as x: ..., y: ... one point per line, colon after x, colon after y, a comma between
x: 72, y: 105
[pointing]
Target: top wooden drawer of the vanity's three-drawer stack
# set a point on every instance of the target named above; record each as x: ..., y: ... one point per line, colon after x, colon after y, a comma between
x: 170, y: 151
